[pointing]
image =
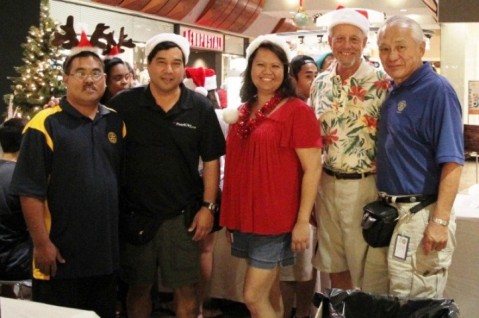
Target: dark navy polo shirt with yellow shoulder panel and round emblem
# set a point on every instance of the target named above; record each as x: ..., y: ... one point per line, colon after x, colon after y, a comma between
x: 74, y: 164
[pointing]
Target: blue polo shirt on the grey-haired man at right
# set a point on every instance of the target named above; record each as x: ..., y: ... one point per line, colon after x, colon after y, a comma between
x: 420, y: 129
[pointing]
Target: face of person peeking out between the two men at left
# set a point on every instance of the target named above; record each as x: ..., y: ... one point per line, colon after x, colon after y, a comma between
x: 117, y: 78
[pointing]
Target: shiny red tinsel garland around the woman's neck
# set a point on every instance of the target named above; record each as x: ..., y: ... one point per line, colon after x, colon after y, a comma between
x: 246, y: 124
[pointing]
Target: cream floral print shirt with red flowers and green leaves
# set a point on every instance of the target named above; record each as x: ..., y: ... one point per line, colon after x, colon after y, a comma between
x: 348, y: 112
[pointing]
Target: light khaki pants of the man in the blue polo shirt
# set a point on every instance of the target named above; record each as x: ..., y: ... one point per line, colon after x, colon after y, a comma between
x: 419, y: 275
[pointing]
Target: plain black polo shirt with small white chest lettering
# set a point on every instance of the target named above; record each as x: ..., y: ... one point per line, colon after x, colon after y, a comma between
x: 163, y: 149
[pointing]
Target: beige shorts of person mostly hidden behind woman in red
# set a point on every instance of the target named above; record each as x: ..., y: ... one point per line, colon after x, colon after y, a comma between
x: 302, y: 270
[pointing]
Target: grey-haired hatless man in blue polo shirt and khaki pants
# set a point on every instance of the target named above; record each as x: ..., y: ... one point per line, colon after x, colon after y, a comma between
x: 420, y: 125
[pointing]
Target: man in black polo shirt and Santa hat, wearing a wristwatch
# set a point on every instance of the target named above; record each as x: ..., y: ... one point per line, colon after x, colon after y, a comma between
x: 169, y: 128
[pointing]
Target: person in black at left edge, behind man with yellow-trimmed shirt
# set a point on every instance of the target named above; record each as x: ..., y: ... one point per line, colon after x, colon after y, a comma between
x: 16, y: 248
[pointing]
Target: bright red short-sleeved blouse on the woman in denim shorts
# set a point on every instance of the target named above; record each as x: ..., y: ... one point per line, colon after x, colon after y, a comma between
x: 262, y: 182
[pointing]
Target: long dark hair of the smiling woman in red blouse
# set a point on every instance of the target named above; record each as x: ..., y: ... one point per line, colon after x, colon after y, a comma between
x: 248, y: 89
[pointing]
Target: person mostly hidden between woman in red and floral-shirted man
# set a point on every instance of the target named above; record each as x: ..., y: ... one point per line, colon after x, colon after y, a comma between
x: 298, y: 281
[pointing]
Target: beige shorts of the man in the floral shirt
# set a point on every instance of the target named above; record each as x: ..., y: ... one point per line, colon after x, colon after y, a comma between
x: 339, y: 211
